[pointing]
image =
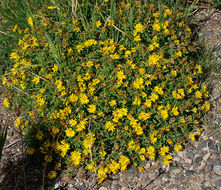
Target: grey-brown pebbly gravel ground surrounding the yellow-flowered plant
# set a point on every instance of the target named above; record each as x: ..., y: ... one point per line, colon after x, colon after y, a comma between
x: 197, y: 167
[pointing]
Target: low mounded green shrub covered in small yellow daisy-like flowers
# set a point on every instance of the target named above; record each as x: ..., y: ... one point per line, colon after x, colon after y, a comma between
x: 104, y: 92
